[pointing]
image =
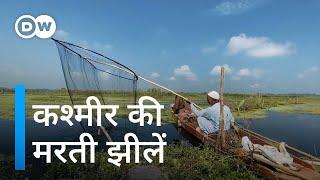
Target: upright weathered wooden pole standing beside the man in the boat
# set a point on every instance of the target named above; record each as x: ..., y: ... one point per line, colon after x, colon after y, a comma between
x: 221, y: 133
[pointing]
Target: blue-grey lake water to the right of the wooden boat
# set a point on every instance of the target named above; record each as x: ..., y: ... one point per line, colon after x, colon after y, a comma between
x: 298, y: 130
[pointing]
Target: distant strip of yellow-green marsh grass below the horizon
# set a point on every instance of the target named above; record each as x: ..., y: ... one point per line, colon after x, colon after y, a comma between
x: 243, y: 106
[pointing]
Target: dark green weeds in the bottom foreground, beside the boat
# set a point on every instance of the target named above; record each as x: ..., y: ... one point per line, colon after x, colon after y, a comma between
x: 181, y: 161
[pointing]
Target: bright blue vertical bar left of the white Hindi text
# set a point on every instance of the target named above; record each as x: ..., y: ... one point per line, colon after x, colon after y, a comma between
x: 20, y: 127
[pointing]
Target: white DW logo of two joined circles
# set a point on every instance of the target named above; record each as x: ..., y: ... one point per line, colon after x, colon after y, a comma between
x: 43, y: 26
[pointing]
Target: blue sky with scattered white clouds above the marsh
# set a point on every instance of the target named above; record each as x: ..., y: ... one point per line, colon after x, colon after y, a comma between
x: 265, y: 45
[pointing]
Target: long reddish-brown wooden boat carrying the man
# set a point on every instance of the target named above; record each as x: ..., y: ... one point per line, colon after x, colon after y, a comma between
x: 265, y: 167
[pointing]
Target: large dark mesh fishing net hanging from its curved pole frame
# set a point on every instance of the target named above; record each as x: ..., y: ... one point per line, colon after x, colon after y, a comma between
x: 88, y: 73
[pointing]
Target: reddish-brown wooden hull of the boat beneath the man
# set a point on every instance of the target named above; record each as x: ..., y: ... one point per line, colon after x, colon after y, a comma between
x: 267, y: 169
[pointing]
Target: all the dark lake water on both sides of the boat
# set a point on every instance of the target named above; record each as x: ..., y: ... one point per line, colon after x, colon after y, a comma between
x: 298, y: 130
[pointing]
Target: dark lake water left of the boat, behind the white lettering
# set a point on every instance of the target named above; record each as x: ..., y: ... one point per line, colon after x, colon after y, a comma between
x: 63, y: 132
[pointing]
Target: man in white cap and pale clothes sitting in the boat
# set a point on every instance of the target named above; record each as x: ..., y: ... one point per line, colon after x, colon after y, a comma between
x: 208, y: 119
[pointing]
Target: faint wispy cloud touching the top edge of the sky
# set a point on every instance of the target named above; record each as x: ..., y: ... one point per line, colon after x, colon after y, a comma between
x: 234, y: 7
